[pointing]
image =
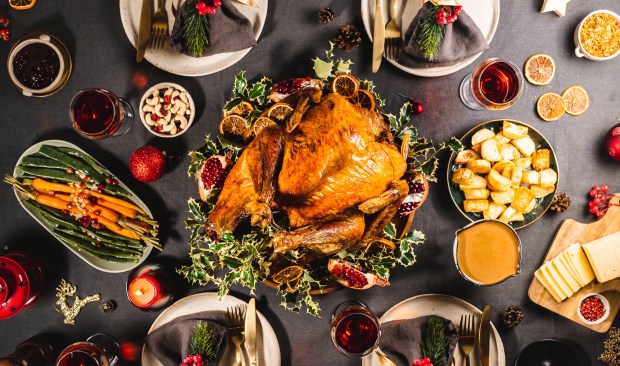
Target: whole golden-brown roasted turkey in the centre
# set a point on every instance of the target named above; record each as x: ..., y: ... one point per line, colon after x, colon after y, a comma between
x: 336, y: 174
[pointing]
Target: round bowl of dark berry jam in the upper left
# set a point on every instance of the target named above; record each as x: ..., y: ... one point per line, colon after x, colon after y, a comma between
x: 39, y: 65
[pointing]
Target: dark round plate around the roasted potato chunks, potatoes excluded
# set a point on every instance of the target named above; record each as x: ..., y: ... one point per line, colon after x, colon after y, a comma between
x: 542, y: 204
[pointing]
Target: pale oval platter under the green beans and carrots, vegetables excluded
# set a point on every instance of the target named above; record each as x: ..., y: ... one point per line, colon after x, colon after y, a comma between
x: 95, y: 262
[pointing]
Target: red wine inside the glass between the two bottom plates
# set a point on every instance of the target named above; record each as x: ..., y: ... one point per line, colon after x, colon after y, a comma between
x: 356, y: 333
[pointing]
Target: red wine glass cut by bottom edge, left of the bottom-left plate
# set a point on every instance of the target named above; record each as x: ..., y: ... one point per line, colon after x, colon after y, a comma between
x: 98, y: 350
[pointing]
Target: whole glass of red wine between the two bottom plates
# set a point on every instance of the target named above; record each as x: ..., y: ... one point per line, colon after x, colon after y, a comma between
x: 355, y: 329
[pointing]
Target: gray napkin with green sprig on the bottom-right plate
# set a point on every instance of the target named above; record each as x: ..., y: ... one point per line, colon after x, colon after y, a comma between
x: 400, y: 339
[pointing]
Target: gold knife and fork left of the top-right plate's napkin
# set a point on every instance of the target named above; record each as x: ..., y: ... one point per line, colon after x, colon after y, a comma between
x: 386, y: 41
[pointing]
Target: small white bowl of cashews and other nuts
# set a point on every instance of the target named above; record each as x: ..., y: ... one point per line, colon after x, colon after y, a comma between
x: 167, y: 110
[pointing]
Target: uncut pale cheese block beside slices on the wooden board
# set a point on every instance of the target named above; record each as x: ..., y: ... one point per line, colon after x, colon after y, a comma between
x: 604, y: 257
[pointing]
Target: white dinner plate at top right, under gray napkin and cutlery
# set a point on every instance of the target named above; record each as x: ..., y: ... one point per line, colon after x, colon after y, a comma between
x: 485, y: 13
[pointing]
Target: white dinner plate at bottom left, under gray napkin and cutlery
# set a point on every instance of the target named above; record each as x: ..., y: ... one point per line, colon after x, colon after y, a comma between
x: 266, y: 341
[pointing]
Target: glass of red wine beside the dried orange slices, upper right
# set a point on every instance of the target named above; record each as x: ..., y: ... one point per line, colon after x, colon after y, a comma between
x: 495, y: 84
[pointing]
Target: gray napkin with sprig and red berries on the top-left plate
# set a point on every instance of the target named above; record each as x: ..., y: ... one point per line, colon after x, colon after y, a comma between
x: 229, y: 30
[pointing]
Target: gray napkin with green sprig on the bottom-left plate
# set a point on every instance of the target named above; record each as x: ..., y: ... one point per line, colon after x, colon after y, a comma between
x: 170, y: 342
